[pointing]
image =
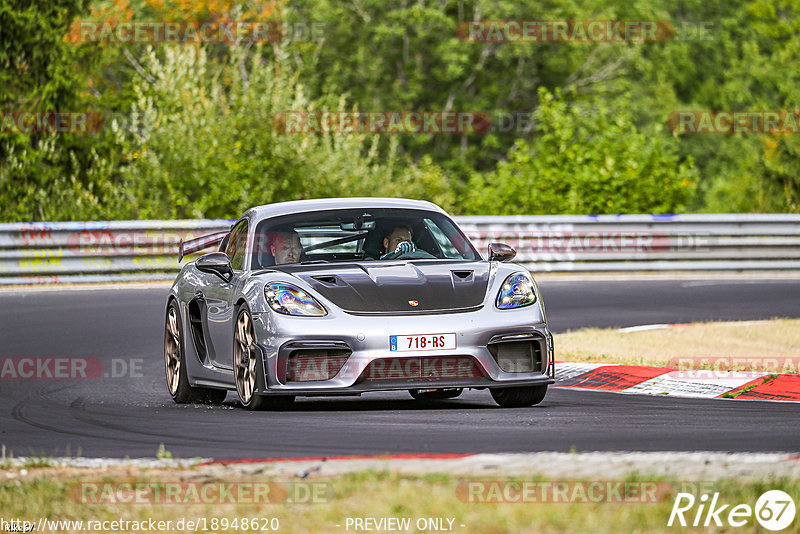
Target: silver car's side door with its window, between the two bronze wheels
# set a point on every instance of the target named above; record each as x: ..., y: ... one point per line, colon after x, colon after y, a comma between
x: 219, y: 300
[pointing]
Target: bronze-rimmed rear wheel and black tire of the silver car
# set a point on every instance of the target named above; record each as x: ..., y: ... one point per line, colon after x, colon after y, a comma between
x: 175, y: 355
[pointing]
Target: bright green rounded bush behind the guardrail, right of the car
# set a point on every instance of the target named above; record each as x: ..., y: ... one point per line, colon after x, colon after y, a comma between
x: 584, y: 160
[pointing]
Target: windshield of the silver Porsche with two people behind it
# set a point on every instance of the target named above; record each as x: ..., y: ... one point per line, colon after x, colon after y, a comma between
x: 358, y: 235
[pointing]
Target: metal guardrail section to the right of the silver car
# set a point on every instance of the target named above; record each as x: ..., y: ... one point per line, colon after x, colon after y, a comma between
x: 583, y: 243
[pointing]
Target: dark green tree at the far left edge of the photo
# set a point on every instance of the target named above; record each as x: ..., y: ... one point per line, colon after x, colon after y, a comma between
x: 45, y: 175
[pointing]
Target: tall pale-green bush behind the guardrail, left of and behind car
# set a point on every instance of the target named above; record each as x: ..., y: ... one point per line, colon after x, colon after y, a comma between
x: 205, y: 138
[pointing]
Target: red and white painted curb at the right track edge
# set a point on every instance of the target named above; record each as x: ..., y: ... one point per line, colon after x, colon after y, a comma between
x: 741, y: 385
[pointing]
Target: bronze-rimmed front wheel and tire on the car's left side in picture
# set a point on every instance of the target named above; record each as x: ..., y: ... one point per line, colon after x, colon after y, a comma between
x: 247, y: 368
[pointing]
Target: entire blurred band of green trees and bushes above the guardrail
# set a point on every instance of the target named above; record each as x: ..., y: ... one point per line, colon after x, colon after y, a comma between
x: 190, y: 129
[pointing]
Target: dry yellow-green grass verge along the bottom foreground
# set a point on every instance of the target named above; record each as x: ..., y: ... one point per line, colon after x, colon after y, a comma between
x: 366, y: 495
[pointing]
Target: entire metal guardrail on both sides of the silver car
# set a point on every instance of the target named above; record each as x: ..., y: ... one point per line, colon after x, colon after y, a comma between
x: 74, y: 252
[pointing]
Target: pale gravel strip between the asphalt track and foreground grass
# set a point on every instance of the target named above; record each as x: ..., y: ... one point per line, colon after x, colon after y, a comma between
x: 689, y: 466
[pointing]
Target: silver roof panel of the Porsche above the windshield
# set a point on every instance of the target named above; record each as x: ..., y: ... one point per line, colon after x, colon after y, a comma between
x: 299, y: 206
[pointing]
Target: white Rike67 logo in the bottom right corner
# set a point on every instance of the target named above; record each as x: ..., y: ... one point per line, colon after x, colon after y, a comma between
x: 774, y: 510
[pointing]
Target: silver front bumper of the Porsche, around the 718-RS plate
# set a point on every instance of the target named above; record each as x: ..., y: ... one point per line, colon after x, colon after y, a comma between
x: 360, y: 341
